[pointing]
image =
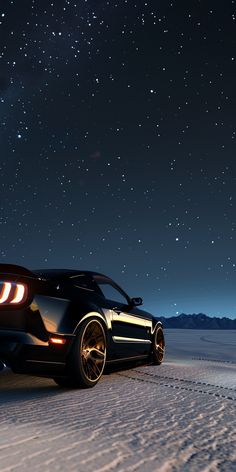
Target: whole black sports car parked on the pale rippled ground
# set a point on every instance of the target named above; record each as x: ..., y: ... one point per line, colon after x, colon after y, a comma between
x: 69, y: 325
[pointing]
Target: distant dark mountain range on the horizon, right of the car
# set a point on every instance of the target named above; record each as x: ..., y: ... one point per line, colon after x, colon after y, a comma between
x: 199, y: 321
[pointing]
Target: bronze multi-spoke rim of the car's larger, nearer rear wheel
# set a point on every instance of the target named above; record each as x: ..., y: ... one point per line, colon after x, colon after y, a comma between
x: 93, y: 350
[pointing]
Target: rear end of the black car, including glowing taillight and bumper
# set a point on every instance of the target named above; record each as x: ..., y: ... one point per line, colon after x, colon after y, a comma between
x: 26, y: 343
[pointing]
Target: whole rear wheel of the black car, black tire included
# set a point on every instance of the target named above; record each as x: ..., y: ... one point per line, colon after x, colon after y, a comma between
x: 87, y: 358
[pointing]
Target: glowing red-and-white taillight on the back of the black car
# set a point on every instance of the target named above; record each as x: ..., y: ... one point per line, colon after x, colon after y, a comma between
x: 12, y: 293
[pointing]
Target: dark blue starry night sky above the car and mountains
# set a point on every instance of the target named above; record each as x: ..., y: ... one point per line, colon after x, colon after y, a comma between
x: 117, y: 142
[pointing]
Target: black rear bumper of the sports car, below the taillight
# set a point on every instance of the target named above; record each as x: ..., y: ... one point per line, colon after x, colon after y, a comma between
x: 27, y: 354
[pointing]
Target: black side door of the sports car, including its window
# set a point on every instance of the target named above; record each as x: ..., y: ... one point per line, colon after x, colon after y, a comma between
x: 130, y: 328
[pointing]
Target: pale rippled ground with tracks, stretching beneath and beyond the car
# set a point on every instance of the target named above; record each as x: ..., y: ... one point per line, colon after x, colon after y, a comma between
x: 180, y: 416
